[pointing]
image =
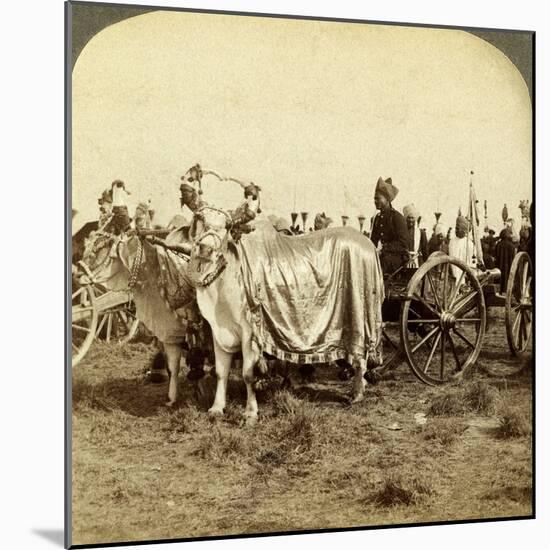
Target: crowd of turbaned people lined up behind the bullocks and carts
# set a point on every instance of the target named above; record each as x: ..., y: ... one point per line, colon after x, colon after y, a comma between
x: 398, y: 236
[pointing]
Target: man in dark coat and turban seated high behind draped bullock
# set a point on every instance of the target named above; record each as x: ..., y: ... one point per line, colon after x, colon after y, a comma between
x: 389, y: 228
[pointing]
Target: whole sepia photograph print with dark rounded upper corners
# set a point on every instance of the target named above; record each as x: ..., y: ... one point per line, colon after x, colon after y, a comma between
x: 302, y: 274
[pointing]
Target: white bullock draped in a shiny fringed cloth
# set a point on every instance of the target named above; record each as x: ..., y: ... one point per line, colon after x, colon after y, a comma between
x: 308, y: 299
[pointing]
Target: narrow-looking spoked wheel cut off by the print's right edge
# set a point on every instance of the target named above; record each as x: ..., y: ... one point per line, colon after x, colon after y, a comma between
x: 519, y: 304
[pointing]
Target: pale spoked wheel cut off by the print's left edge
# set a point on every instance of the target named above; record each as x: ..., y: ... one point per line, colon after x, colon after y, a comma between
x: 84, y: 320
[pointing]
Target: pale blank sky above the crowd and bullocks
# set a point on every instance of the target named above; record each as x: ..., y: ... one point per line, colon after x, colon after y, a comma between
x: 313, y: 112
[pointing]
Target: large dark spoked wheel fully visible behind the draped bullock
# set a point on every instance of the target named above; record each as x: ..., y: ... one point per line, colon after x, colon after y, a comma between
x: 442, y: 320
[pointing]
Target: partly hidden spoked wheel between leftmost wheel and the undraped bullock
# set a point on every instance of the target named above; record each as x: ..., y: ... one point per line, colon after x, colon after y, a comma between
x: 117, y: 317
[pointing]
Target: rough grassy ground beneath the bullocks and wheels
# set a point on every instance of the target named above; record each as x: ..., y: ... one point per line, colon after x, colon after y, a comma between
x: 408, y: 453
